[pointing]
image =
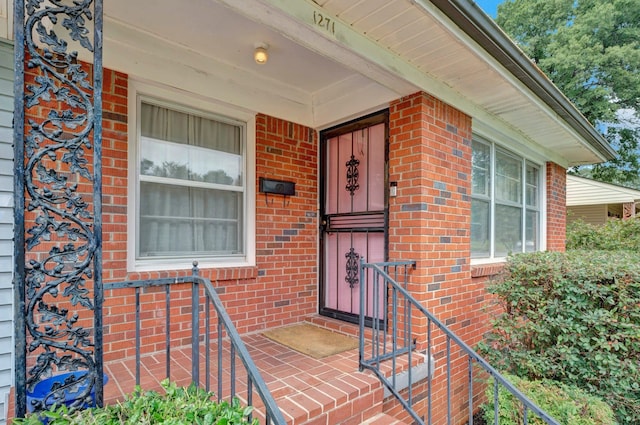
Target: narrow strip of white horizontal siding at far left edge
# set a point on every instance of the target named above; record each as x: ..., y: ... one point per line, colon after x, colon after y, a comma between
x: 6, y: 225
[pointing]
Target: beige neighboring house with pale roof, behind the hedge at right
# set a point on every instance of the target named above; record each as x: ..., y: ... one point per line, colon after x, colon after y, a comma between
x: 595, y: 202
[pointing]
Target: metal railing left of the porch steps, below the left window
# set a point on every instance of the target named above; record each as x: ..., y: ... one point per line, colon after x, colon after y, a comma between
x: 220, y: 354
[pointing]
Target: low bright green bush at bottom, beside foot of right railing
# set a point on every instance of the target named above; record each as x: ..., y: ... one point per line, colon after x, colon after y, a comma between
x: 567, y: 404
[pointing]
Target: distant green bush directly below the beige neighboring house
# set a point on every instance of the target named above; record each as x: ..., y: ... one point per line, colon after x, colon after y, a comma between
x: 614, y: 235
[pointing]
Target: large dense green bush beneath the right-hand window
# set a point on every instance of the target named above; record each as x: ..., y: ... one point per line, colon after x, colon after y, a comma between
x: 575, y: 318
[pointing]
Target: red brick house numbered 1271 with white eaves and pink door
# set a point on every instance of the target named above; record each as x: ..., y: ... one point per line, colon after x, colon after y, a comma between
x: 459, y: 144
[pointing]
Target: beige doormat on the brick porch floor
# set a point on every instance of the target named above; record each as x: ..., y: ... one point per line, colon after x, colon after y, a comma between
x: 312, y: 340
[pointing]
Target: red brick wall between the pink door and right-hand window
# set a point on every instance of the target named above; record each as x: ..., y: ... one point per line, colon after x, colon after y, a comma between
x: 429, y: 221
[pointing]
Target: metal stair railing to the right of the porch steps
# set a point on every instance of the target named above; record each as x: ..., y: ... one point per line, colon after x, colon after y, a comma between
x: 400, y: 319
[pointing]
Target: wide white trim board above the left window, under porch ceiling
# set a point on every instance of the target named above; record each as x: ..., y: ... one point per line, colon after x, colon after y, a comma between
x: 144, y: 55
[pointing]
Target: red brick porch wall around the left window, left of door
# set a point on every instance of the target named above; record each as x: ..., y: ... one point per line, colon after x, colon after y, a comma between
x: 280, y: 289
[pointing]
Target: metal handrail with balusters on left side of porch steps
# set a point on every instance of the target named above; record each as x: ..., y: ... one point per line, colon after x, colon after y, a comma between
x: 273, y: 415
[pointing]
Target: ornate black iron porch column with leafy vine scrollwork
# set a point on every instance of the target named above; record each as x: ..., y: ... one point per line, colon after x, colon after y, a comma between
x: 58, y: 208
